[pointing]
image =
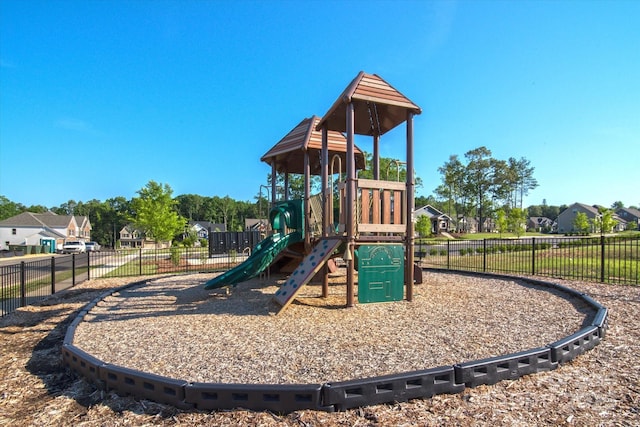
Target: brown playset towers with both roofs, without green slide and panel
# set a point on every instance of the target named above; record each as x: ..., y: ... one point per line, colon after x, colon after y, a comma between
x: 372, y: 211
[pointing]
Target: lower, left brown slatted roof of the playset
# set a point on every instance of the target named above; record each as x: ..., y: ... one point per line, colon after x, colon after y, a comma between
x: 288, y: 153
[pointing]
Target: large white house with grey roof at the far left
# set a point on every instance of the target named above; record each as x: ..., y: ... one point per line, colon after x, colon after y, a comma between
x: 30, y: 228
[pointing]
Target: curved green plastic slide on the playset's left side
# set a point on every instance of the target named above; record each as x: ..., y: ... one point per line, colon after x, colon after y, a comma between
x: 263, y: 255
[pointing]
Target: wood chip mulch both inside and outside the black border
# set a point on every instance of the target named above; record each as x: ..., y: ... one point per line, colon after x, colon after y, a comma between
x: 171, y: 326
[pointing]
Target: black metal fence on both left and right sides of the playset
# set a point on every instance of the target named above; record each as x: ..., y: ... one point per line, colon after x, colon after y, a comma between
x: 598, y: 259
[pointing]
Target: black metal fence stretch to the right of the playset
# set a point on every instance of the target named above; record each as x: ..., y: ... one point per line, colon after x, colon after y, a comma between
x: 603, y: 259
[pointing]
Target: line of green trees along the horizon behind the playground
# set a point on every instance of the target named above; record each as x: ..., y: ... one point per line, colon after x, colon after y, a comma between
x: 478, y: 186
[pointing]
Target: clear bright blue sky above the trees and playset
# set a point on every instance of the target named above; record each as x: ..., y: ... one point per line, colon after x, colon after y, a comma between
x: 99, y: 97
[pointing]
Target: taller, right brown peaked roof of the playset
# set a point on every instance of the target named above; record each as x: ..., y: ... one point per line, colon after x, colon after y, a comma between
x: 378, y: 106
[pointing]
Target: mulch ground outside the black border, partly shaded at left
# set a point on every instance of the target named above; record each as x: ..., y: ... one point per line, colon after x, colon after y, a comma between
x: 601, y: 387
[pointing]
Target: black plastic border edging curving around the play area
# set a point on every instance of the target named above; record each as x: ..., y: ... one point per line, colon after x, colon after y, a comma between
x: 337, y: 396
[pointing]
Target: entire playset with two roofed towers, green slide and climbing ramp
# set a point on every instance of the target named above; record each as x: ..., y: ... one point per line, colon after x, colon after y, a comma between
x: 373, y: 222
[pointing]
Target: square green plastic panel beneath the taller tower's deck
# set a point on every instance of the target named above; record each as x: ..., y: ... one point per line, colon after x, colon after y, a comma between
x: 380, y: 273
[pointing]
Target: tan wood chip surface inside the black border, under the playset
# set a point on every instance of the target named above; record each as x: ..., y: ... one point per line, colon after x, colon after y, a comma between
x: 174, y: 328
